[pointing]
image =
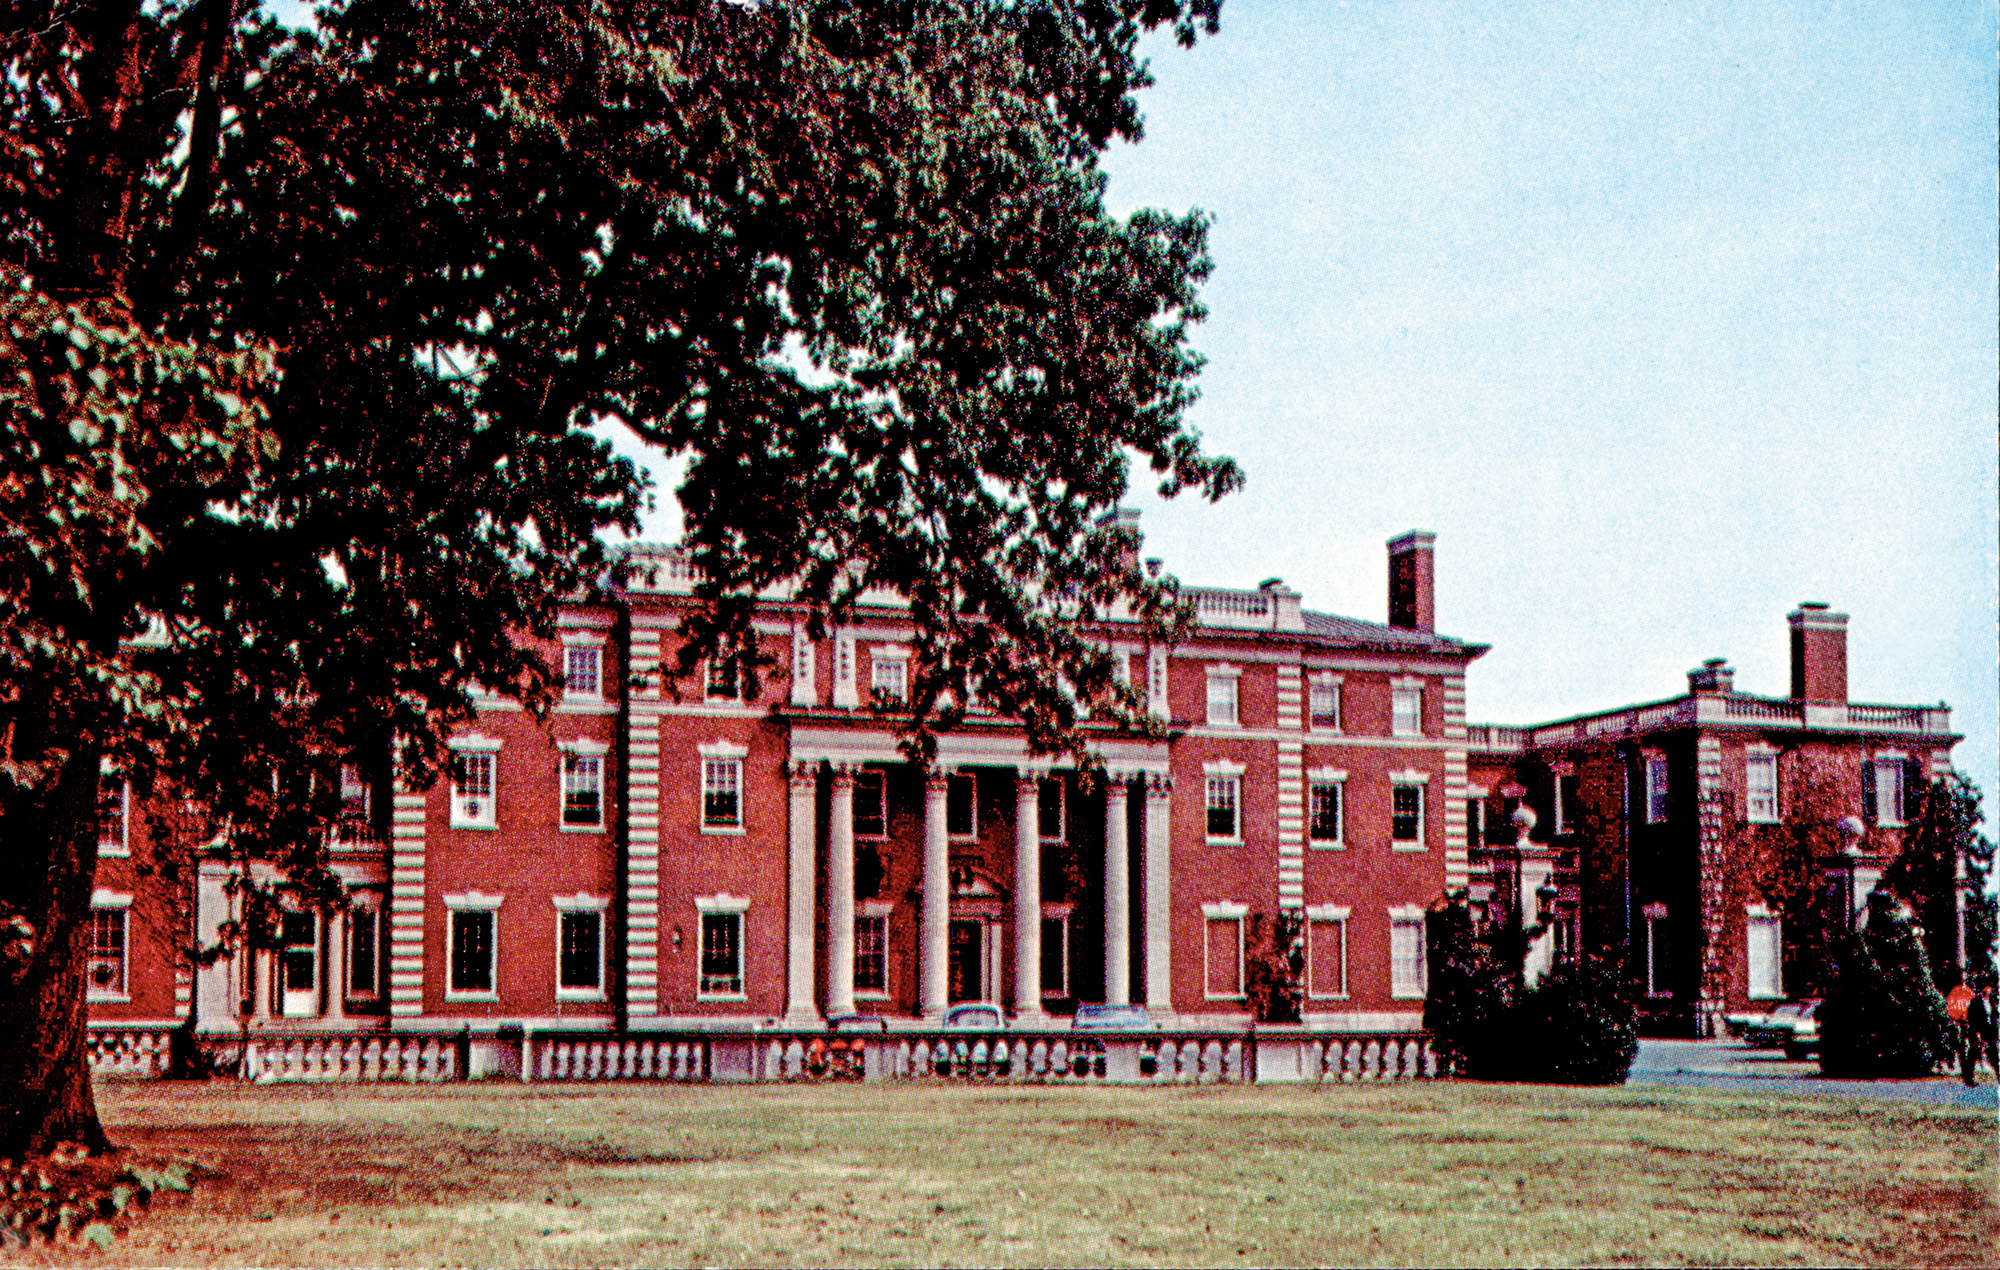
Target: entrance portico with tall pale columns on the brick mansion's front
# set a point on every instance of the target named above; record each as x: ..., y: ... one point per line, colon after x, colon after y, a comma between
x: 971, y: 879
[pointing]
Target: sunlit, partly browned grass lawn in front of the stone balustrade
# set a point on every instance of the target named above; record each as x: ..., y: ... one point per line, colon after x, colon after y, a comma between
x: 1241, y: 1177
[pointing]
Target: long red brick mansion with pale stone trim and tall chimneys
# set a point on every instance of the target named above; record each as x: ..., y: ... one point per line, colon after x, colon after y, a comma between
x: 665, y: 863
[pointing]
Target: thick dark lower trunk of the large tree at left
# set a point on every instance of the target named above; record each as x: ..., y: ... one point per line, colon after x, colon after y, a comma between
x: 49, y: 873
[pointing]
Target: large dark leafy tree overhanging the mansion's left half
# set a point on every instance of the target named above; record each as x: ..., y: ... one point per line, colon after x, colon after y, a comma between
x: 305, y: 335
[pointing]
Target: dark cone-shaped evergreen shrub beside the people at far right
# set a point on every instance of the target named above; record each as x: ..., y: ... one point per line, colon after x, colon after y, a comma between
x: 1885, y: 1015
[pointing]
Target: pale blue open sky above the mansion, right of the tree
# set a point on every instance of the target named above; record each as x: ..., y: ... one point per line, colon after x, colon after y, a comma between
x: 1663, y: 317
